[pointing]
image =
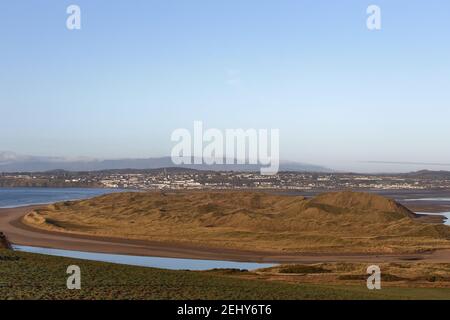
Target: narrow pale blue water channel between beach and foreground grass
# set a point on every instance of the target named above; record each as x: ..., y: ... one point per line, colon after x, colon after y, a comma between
x: 154, y: 262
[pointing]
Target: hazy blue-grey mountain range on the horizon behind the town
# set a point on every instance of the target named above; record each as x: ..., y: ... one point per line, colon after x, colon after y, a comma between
x: 12, y: 162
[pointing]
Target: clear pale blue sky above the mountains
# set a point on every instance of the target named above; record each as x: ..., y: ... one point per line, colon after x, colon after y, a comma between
x: 341, y: 95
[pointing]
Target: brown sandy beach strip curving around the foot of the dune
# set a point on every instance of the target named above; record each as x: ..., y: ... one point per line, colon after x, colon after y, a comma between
x: 20, y: 234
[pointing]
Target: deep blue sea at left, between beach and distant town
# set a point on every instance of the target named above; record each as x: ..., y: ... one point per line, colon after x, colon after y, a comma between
x: 18, y: 197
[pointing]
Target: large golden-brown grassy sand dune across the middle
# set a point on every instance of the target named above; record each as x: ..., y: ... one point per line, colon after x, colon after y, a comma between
x: 332, y: 222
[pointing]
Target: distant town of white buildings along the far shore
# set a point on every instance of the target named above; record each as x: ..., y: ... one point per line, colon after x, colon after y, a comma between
x: 189, y: 179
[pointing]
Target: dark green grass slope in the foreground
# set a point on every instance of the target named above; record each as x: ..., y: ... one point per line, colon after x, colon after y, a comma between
x: 32, y: 276
